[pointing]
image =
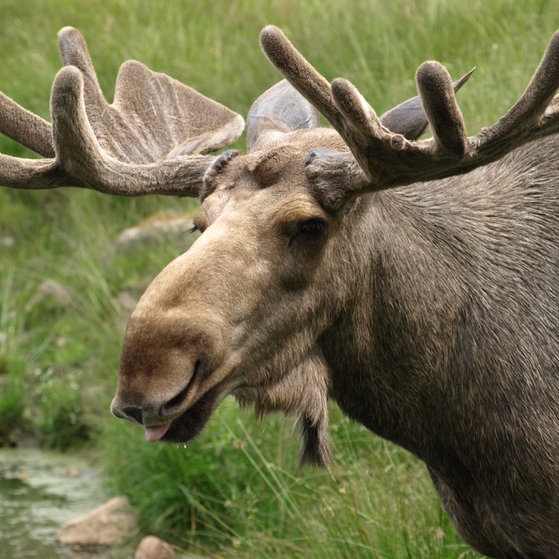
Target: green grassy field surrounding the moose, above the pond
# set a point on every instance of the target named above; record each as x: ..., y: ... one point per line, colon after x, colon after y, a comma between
x: 236, y: 491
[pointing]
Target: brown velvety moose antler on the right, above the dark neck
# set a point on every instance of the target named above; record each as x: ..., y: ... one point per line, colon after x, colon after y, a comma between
x: 381, y: 159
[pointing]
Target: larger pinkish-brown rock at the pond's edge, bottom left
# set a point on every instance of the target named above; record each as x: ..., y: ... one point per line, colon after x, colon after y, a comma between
x: 112, y: 523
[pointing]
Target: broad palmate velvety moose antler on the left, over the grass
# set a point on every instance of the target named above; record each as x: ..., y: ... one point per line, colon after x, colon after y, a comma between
x: 149, y: 141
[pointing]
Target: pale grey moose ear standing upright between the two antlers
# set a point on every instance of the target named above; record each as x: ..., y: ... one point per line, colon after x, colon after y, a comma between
x: 278, y: 110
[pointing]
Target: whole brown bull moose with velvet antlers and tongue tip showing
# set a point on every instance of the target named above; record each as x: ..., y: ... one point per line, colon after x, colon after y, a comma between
x: 413, y: 281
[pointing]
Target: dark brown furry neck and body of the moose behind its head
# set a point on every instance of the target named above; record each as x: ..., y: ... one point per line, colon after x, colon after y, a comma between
x: 460, y: 362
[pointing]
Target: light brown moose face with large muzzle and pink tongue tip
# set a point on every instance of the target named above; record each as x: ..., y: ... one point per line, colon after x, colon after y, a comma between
x: 241, y: 310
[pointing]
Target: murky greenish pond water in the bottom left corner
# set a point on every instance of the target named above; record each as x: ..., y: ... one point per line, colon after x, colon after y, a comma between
x: 40, y: 491
